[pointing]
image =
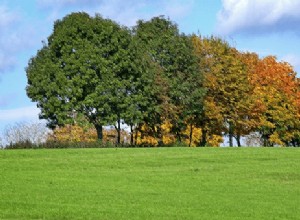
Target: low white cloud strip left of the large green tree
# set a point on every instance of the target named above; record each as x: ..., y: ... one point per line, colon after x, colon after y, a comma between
x: 19, y: 114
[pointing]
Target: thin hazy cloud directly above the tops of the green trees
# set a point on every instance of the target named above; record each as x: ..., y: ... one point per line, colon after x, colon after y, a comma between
x: 124, y: 12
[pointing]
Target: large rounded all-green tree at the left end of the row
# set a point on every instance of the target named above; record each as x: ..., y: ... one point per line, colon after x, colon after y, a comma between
x: 84, y: 68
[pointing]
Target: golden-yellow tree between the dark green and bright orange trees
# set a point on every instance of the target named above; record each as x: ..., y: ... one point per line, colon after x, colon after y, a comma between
x: 225, y: 78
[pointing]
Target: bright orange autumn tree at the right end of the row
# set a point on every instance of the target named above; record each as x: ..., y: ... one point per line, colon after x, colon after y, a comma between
x: 277, y: 93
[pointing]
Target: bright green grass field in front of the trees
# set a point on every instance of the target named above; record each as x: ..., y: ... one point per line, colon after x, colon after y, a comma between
x: 150, y: 183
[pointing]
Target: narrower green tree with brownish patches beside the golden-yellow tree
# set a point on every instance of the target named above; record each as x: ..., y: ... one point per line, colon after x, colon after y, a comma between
x: 177, y: 91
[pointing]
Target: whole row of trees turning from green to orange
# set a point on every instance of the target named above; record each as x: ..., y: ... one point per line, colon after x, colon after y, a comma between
x: 161, y: 83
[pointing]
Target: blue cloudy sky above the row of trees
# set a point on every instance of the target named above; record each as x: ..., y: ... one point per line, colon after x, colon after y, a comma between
x: 268, y: 27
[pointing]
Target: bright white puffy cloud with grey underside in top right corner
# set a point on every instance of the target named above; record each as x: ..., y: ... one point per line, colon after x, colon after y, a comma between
x: 259, y: 16
